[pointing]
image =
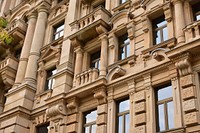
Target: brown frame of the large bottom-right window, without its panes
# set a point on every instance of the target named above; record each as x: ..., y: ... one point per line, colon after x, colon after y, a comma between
x: 163, y: 102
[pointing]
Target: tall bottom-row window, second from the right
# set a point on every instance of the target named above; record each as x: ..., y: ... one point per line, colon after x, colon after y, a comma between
x: 123, y: 116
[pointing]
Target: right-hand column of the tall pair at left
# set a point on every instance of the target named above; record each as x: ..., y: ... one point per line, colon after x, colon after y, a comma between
x: 38, y: 38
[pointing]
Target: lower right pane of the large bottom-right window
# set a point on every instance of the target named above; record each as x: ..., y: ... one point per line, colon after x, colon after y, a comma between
x: 170, y: 111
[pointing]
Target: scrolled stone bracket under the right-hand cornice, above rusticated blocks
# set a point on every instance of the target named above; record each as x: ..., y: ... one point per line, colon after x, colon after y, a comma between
x: 184, y: 67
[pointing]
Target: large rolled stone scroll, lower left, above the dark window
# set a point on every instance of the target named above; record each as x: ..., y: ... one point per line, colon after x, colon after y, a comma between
x: 55, y: 110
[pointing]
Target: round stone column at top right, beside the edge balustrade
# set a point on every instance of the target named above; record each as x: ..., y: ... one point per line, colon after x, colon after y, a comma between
x: 180, y: 20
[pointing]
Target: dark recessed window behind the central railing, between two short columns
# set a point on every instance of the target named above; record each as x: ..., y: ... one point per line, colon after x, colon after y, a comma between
x: 95, y: 60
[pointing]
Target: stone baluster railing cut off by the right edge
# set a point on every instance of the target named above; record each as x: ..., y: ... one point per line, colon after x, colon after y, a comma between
x: 192, y: 31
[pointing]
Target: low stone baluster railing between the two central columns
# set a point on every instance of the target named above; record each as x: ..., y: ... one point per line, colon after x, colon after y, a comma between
x: 87, y: 77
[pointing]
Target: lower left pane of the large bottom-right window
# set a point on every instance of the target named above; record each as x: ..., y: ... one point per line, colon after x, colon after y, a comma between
x: 161, y: 117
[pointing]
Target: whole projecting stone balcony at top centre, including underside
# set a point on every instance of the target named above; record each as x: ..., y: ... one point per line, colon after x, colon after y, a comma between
x: 91, y: 25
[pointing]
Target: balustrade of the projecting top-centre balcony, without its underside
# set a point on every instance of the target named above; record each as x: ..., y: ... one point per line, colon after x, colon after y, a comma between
x: 98, y: 14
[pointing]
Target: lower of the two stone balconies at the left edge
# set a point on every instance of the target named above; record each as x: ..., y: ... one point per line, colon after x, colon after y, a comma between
x: 8, y: 69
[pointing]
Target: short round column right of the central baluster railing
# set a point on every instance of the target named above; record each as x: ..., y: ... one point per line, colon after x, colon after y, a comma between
x: 104, y: 55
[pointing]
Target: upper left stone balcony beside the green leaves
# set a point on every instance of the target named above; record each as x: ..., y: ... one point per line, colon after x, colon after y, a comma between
x: 18, y: 30
